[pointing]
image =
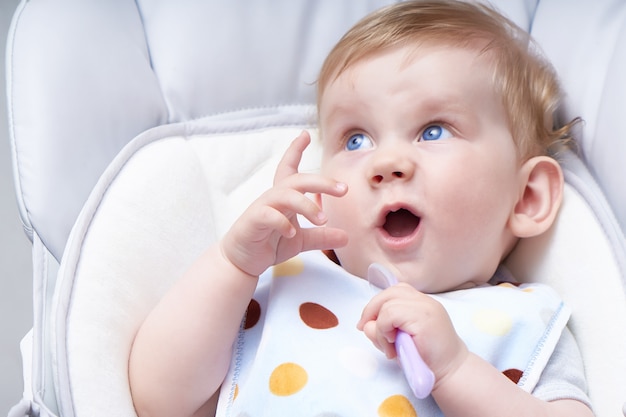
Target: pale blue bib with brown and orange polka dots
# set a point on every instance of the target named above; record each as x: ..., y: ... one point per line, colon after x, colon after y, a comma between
x: 299, y: 352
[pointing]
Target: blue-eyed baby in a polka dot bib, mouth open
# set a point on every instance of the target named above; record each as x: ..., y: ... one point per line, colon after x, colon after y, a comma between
x: 436, y: 120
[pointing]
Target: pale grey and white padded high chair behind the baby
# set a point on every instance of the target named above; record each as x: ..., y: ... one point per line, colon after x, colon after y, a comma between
x: 141, y: 129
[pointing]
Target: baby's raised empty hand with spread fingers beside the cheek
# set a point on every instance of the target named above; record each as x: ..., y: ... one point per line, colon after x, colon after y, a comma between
x: 268, y: 232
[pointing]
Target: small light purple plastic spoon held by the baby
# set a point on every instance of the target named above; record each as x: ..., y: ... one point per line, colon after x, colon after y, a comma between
x: 419, y: 376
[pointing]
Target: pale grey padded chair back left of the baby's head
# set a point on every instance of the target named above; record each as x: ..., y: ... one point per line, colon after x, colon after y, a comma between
x: 85, y: 77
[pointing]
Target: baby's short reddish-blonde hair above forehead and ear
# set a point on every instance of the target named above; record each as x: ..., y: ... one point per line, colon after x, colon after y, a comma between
x: 527, y: 82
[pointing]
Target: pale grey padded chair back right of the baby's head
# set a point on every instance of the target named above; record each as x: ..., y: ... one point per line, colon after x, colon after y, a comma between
x: 586, y: 42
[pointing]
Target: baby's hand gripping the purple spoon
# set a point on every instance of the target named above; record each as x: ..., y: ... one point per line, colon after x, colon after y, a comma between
x: 423, y: 318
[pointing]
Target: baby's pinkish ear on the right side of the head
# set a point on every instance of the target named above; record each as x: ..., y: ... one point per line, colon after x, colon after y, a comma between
x: 540, y: 197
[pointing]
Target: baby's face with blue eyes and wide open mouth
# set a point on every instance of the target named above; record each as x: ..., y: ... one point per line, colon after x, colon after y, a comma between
x: 423, y: 143
